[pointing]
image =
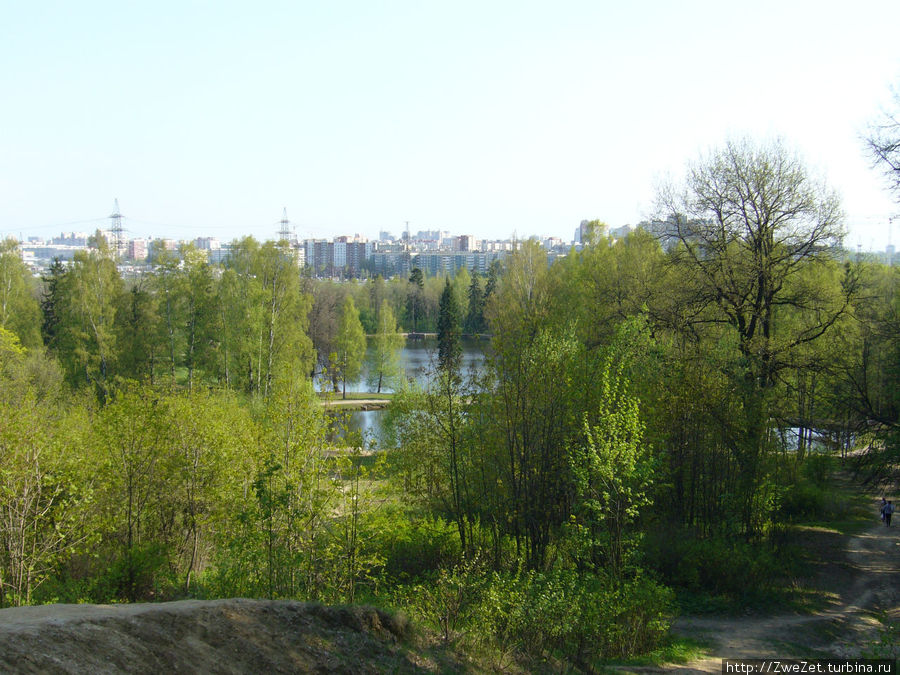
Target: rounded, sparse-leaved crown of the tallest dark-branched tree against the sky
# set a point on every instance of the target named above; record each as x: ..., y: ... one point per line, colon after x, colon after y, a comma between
x: 749, y: 219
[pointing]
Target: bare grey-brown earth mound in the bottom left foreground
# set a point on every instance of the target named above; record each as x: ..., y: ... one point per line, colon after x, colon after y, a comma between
x: 221, y: 636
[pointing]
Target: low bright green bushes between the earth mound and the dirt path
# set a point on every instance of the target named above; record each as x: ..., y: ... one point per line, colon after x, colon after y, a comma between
x: 540, y: 617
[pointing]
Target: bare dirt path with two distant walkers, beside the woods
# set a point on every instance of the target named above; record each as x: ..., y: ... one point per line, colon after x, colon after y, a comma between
x: 872, y: 586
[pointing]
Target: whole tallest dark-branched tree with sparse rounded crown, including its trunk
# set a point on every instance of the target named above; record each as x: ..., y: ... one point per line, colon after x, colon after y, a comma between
x: 750, y: 222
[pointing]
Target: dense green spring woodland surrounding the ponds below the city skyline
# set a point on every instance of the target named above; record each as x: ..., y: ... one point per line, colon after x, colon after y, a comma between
x: 652, y: 415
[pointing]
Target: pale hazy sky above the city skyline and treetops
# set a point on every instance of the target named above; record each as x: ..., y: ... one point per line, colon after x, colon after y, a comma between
x: 489, y: 117
